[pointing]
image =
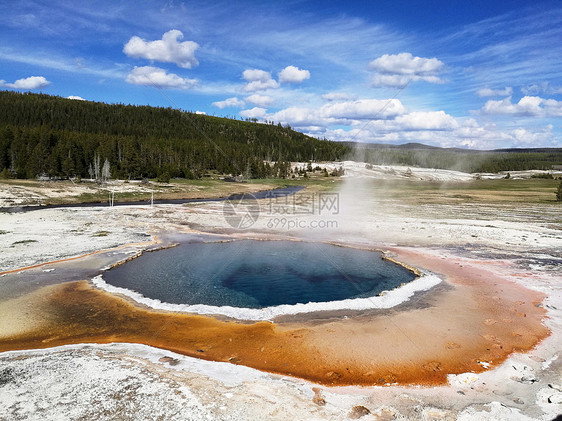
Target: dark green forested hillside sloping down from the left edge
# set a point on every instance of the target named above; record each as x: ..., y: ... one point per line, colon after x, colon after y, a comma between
x: 53, y: 136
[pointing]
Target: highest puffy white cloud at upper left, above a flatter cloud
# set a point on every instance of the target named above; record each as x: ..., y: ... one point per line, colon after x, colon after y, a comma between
x: 168, y: 49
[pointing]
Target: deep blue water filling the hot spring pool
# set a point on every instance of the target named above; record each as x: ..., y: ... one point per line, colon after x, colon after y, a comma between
x: 257, y: 274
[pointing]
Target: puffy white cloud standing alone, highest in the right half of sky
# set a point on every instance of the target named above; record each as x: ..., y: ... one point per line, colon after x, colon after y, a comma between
x: 400, y: 69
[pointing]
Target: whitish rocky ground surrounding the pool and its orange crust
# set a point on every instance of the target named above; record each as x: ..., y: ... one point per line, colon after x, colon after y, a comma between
x: 127, y: 381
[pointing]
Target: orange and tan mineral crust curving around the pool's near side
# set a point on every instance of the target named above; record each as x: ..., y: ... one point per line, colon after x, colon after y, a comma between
x: 480, y: 317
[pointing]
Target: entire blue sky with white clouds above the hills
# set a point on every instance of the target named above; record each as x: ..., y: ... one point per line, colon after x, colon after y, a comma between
x: 476, y: 74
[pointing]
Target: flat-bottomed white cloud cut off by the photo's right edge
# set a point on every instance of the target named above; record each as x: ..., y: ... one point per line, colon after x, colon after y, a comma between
x: 532, y: 106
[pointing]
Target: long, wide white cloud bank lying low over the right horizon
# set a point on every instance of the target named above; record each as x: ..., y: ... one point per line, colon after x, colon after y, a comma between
x: 388, y: 121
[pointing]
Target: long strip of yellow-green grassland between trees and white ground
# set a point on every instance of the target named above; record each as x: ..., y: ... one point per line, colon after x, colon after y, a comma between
x: 534, y: 190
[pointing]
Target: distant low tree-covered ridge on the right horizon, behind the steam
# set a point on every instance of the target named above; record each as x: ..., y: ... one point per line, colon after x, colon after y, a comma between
x: 471, y: 161
